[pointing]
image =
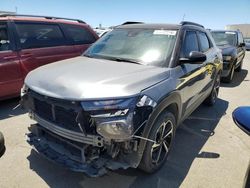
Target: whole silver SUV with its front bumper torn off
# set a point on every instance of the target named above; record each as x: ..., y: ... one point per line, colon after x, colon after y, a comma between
x: 119, y: 104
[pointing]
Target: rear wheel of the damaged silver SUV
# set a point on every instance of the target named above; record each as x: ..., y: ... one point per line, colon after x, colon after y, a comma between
x: 211, y: 99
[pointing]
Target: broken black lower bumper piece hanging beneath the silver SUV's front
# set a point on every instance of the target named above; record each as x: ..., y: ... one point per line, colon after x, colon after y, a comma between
x: 69, y: 155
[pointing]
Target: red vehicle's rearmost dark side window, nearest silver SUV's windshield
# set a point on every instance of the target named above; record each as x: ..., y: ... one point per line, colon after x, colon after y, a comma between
x: 79, y: 35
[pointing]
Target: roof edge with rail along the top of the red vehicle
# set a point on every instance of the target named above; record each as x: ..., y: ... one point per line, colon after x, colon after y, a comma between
x: 47, y: 19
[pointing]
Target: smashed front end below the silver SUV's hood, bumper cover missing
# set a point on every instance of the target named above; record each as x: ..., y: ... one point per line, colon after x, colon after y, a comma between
x: 84, y: 139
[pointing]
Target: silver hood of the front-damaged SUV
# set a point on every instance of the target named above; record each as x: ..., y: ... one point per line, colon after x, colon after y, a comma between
x: 88, y: 78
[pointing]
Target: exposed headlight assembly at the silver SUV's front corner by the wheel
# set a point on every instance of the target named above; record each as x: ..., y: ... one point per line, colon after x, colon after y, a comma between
x: 114, y: 118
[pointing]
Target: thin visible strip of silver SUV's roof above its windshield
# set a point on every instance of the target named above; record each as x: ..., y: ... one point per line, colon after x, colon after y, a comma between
x: 151, y: 26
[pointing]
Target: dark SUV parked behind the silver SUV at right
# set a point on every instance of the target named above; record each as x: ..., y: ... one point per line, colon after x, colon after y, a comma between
x: 233, y: 50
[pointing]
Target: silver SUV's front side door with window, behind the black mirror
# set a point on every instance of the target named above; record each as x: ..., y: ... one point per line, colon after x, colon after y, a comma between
x: 193, y: 77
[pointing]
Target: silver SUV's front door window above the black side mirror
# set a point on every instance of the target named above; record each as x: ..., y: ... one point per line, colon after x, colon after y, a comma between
x: 190, y: 44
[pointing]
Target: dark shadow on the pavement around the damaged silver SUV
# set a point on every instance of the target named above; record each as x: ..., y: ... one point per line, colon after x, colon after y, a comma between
x: 190, y: 138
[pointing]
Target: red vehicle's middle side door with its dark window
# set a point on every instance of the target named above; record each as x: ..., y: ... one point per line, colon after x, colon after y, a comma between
x: 41, y: 43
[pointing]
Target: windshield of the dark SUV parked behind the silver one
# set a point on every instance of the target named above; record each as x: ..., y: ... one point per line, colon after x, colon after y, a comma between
x: 225, y: 38
